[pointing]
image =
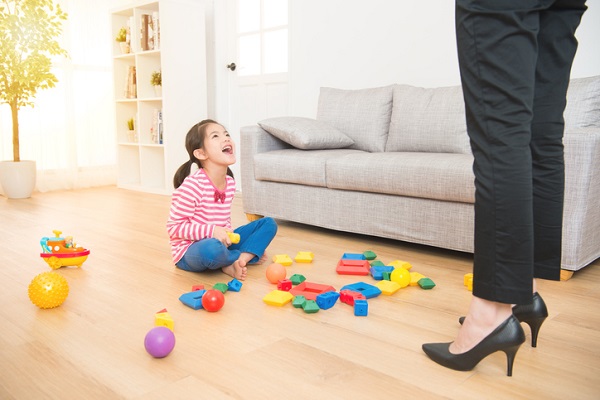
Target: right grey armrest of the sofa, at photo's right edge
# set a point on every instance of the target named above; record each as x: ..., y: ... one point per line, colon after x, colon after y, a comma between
x: 582, y: 197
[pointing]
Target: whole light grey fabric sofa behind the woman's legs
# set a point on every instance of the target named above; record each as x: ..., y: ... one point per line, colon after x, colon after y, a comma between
x: 395, y: 162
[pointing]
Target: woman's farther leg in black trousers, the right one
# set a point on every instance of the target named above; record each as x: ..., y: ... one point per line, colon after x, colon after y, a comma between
x: 557, y: 46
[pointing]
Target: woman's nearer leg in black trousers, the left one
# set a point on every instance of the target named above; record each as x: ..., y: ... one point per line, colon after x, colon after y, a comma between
x: 497, y: 50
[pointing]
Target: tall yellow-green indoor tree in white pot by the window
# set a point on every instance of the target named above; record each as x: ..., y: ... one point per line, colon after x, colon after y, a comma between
x: 28, y: 38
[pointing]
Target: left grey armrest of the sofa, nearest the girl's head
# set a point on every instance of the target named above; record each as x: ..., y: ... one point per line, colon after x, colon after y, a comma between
x: 254, y: 140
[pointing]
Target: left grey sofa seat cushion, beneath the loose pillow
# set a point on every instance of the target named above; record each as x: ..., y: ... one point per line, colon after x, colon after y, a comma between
x: 296, y: 166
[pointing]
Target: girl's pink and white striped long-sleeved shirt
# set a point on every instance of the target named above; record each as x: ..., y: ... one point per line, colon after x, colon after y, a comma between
x: 197, y: 206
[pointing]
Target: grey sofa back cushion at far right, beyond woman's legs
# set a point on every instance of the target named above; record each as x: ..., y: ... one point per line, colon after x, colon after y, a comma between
x: 583, y: 103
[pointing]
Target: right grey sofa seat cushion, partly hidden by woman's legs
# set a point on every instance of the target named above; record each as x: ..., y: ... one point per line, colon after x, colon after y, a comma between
x: 442, y: 176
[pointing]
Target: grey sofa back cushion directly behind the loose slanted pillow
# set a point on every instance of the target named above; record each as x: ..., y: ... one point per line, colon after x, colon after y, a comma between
x: 363, y: 115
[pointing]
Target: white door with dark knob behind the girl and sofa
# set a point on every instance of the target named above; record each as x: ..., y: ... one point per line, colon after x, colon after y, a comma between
x: 257, y: 64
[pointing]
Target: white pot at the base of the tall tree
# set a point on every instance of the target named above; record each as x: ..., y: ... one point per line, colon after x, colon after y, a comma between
x: 17, y: 178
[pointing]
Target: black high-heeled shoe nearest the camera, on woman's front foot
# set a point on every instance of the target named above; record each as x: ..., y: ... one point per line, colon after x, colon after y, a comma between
x: 507, y: 337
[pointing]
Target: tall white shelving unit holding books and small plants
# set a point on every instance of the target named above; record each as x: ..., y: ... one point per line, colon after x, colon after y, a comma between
x: 144, y: 162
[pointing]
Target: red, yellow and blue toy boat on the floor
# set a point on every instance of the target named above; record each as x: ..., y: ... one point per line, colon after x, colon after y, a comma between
x: 62, y: 252
